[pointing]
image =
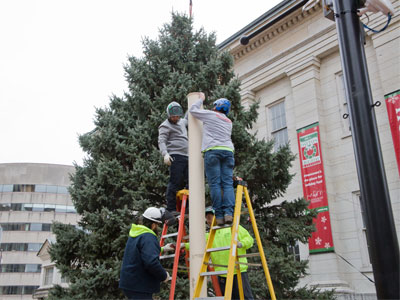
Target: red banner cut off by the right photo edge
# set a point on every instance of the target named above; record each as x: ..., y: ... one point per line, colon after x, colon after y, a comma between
x: 393, y: 108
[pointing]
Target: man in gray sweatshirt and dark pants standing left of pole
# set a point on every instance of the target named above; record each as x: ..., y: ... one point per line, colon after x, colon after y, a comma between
x: 173, y: 144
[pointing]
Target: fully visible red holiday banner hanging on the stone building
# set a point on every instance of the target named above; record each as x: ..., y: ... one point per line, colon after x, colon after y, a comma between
x: 314, y: 188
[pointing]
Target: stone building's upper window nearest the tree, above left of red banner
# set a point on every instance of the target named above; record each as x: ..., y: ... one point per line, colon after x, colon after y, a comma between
x: 277, y: 124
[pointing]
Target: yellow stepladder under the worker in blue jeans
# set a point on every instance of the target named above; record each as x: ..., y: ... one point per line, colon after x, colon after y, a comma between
x: 233, y: 262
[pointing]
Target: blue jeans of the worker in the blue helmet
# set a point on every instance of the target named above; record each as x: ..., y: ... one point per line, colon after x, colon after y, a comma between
x: 218, y: 165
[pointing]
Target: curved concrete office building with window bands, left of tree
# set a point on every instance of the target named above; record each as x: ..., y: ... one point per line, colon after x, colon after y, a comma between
x: 32, y: 196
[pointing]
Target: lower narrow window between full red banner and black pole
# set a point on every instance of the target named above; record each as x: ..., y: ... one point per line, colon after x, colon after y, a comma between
x: 362, y: 230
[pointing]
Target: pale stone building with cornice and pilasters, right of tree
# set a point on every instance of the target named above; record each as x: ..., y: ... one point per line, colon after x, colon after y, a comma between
x: 293, y: 69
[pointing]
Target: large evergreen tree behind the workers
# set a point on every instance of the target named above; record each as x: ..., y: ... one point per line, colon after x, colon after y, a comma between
x: 123, y: 172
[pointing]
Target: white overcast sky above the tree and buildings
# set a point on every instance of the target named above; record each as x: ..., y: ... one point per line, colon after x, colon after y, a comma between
x: 59, y: 59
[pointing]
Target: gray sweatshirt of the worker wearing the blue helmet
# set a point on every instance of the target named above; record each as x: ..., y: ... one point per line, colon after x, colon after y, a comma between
x: 217, y: 128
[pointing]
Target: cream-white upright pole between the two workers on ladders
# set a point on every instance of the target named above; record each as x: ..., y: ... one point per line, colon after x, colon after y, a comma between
x: 196, y: 198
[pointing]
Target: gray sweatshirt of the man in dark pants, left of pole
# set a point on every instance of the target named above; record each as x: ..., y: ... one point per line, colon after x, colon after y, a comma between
x: 172, y: 138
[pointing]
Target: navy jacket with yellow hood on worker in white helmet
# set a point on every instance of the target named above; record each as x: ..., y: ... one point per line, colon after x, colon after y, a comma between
x: 141, y: 269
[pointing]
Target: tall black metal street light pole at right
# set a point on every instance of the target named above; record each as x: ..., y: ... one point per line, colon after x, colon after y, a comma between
x: 381, y: 232
